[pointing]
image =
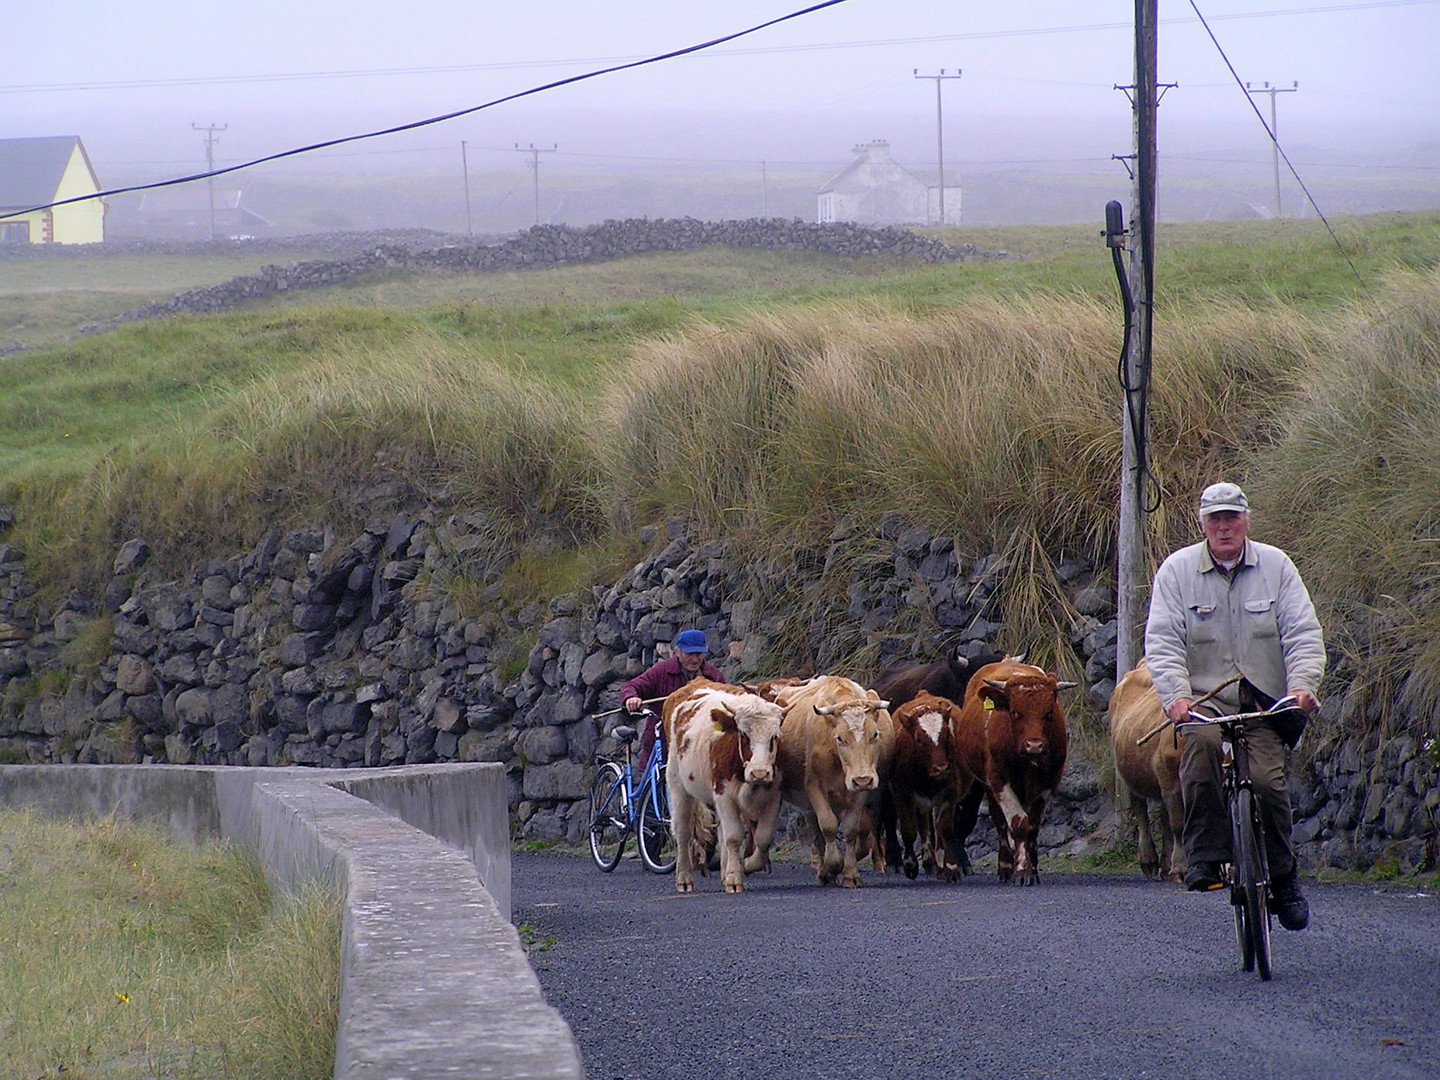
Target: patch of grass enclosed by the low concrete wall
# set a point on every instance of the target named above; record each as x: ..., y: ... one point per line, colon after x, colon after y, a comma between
x: 125, y: 957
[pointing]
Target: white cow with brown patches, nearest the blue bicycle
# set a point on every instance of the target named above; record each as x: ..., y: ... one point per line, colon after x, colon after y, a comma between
x: 724, y: 747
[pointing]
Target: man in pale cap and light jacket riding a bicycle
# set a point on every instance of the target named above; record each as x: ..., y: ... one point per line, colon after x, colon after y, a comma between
x: 1232, y: 621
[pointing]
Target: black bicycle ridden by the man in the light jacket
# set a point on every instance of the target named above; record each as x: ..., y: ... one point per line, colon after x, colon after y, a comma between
x: 1249, y: 869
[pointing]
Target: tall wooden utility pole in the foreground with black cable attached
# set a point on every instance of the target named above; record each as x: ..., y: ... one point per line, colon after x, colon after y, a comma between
x: 1131, y: 585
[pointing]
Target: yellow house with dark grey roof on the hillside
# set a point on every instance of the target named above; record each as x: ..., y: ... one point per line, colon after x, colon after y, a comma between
x: 35, y: 172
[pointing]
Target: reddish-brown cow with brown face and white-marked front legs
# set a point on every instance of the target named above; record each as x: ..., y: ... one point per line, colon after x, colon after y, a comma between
x: 1013, y: 738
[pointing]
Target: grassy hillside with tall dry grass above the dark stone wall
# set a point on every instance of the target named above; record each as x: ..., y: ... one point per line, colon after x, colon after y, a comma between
x: 571, y: 405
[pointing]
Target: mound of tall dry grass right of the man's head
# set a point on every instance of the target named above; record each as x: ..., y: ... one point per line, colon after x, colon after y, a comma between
x: 1351, y: 485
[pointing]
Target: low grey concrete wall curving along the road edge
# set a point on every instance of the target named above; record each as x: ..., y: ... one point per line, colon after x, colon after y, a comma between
x: 434, y: 981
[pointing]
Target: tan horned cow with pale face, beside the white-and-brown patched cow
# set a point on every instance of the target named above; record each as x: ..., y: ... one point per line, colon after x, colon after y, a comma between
x: 836, y: 745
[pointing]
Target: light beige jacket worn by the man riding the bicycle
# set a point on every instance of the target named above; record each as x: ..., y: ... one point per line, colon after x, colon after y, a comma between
x: 1205, y: 629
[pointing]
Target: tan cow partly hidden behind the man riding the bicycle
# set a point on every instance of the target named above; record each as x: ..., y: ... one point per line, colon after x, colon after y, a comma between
x: 1151, y: 773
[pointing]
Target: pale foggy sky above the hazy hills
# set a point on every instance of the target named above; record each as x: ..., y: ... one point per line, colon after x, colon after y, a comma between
x: 1038, y: 80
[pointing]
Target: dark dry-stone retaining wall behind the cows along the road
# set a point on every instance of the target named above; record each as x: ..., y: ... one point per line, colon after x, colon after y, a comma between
x: 318, y: 652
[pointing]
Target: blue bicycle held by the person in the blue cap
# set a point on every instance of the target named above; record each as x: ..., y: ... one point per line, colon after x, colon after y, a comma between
x: 620, y: 806
